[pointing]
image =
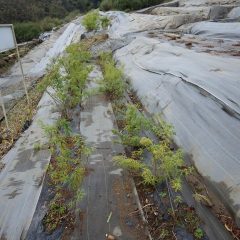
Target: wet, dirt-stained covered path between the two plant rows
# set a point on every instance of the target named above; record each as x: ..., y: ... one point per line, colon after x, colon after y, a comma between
x: 109, y: 199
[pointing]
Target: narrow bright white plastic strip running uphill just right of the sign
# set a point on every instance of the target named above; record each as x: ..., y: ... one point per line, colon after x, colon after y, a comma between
x: 59, y: 46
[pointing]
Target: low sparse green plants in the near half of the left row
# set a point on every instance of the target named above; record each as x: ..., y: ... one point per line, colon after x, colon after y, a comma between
x: 66, y: 172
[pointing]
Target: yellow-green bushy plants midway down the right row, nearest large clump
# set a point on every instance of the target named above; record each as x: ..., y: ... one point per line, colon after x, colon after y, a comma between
x: 165, y: 163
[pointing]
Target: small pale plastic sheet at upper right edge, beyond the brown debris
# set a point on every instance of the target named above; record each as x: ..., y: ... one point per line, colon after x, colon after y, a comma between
x: 224, y: 30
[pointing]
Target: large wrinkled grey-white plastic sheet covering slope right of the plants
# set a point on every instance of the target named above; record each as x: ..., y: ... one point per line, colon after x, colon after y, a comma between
x: 199, y: 94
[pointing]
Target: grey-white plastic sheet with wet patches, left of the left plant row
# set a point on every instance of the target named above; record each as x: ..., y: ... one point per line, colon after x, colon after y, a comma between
x: 22, y: 177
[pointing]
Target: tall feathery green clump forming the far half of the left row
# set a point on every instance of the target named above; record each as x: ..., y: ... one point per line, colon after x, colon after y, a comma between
x: 68, y: 77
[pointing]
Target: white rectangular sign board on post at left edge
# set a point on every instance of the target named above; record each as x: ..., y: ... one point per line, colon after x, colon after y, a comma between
x: 6, y: 38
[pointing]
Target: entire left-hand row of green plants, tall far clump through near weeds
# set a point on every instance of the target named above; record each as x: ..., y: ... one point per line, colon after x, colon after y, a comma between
x: 67, y: 77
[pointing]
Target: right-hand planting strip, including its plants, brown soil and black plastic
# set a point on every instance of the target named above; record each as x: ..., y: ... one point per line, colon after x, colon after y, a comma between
x: 158, y: 167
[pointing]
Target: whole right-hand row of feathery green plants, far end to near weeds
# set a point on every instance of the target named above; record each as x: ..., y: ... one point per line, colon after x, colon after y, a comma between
x: 166, y: 165
